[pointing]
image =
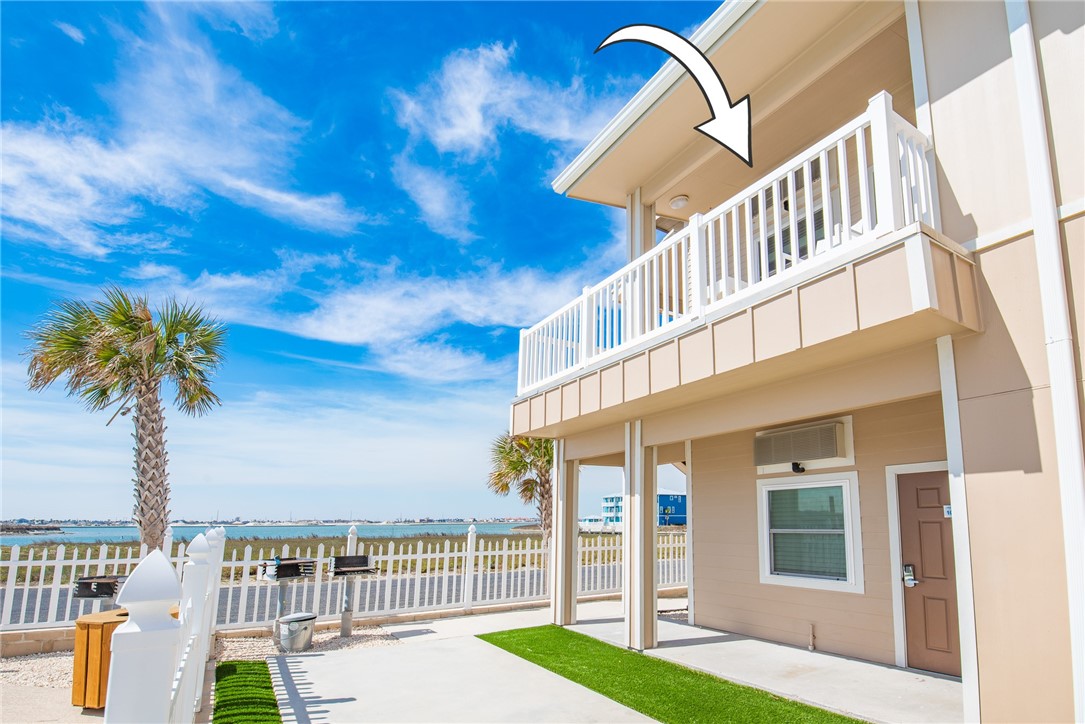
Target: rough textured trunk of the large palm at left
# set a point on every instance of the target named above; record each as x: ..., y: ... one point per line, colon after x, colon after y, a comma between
x: 152, y: 488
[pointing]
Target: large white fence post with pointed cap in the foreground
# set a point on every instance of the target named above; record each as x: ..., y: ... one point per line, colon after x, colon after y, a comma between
x: 145, y: 647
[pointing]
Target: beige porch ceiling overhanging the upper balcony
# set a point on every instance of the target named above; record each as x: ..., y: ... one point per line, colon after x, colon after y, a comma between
x: 808, y: 67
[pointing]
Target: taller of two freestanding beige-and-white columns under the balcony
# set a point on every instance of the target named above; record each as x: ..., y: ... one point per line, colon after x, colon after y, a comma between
x: 640, y: 541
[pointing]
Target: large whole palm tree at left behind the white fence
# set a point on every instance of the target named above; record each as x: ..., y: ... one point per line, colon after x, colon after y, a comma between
x: 116, y: 352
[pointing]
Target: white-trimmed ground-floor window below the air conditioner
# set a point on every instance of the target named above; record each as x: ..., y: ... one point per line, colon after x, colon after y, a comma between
x: 809, y: 532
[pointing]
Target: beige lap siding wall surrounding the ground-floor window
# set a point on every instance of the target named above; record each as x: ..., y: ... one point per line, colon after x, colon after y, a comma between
x: 729, y: 593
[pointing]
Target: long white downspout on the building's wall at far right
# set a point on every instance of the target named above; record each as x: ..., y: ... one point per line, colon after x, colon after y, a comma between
x: 1057, y: 331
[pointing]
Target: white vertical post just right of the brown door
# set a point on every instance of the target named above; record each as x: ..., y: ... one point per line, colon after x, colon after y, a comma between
x: 962, y: 547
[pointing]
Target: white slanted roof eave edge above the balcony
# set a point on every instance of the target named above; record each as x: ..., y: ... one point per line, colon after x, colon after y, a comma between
x: 706, y: 37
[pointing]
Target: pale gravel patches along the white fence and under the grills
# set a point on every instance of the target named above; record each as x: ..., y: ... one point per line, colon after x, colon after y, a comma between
x: 55, y: 670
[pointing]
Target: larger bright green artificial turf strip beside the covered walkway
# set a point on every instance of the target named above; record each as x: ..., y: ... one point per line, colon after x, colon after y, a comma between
x: 661, y: 690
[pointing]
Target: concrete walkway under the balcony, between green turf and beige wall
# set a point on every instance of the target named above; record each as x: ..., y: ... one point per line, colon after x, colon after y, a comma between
x: 859, y: 689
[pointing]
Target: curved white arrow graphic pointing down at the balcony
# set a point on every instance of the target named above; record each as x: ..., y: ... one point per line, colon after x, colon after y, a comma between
x: 730, y: 124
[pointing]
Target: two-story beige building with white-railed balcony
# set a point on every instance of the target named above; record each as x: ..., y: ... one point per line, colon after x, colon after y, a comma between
x: 865, y: 351
